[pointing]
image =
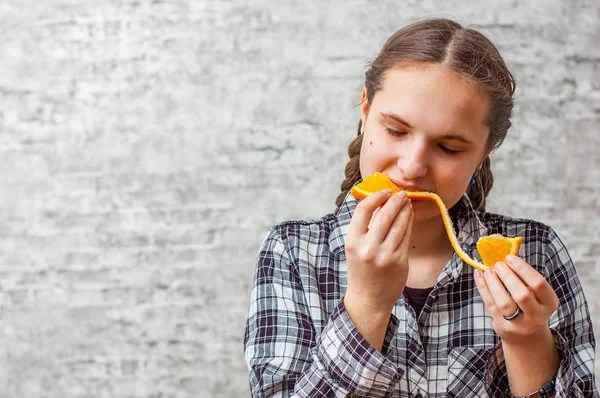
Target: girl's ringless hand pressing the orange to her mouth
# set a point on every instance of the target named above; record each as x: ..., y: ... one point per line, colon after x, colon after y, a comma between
x: 377, y: 252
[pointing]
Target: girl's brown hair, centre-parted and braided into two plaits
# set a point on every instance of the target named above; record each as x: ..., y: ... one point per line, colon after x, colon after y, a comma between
x: 464, y: 51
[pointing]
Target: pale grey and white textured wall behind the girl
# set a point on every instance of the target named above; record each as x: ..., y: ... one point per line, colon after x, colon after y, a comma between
x: 147, y: 146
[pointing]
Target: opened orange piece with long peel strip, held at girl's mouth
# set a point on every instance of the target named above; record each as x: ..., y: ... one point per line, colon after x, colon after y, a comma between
x: 491, y: 248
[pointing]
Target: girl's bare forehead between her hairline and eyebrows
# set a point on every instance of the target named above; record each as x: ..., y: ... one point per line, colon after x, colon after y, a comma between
x: 433, y: 98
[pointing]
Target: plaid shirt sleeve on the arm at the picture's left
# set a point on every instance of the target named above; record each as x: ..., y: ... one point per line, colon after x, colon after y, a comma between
x: 285, y: 356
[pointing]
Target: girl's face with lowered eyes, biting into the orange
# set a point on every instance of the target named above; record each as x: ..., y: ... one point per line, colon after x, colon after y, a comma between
x: 425, y: 129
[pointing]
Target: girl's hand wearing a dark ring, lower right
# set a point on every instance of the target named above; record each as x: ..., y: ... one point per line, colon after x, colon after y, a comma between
x: 511, y: 284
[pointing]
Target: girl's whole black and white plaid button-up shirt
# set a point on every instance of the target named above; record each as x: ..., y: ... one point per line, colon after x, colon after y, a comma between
x: 300, y: 341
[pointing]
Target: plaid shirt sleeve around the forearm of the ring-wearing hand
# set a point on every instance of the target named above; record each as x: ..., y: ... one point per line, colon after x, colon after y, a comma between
x: 571, y: 327
